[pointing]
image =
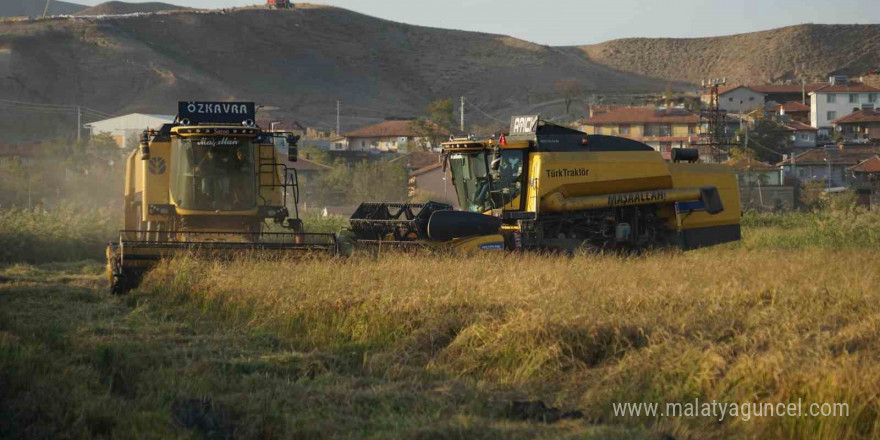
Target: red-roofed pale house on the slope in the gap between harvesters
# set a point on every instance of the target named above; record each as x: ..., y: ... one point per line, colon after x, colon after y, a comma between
x: 392, y: 135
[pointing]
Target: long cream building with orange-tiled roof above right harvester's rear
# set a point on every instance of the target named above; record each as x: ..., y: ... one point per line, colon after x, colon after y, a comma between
x: 662, y: 129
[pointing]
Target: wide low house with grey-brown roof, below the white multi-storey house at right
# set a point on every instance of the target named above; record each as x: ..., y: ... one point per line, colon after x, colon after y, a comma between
x: 824, y: 164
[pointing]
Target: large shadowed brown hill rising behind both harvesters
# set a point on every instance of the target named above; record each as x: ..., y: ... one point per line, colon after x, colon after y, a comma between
x: 301, y: 61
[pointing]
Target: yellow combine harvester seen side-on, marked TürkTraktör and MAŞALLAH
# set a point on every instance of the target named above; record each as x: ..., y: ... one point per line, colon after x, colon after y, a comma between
x: 551, y: 187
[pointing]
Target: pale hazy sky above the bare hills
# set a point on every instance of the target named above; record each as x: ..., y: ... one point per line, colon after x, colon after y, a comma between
x: 571, y: 22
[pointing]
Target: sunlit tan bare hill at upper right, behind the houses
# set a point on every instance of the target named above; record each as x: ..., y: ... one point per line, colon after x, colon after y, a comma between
x: 806, y: 51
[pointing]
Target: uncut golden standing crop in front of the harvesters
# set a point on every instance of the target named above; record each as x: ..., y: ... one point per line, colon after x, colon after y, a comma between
x: 729, y: 325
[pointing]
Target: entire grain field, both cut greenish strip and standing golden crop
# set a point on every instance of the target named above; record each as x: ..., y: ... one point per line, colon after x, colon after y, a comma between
x: 434, y: 346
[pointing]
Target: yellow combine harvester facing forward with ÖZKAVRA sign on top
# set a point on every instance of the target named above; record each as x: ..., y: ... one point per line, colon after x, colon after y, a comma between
x: 209, y: 182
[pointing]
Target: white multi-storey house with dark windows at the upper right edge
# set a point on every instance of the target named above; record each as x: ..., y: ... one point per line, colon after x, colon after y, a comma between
x: 838, y: 98
